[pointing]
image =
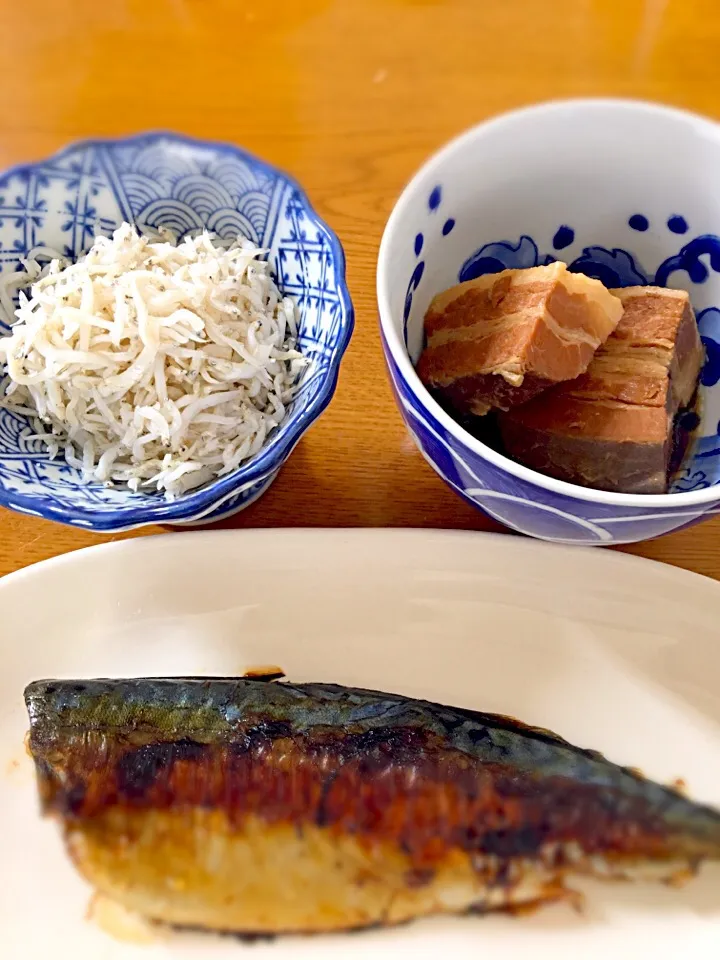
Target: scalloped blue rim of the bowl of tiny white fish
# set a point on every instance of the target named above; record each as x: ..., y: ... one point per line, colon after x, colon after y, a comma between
x: 276, y: 451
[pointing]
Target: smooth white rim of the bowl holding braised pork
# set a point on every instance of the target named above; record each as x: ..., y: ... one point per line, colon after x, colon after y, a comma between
x: 398, y: 351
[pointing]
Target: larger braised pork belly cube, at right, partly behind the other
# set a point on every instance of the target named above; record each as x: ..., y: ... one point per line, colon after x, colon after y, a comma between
x: 612, y: 427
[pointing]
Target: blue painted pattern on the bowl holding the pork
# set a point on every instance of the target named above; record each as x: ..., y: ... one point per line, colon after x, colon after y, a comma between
x: 528, y: 507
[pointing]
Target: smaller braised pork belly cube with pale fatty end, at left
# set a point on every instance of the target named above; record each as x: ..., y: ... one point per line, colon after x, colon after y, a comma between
x: 501, y: 339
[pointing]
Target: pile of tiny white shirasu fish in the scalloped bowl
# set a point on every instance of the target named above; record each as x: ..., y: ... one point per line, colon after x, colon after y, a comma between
x: 150, y: 363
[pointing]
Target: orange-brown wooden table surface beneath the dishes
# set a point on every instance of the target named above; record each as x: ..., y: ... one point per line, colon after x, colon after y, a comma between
x: 350, y: 96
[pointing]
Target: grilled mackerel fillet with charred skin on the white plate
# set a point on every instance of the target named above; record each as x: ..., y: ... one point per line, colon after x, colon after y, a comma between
x: 195, y: 800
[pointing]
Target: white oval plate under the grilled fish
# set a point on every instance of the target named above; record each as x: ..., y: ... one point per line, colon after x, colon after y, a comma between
x: 612, y: 652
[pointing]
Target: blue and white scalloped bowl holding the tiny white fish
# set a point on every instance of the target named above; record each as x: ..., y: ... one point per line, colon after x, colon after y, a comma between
x: 162, y: 179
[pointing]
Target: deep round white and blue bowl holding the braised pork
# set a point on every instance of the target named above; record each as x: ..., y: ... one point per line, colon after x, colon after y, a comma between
x: 624, y: 191
